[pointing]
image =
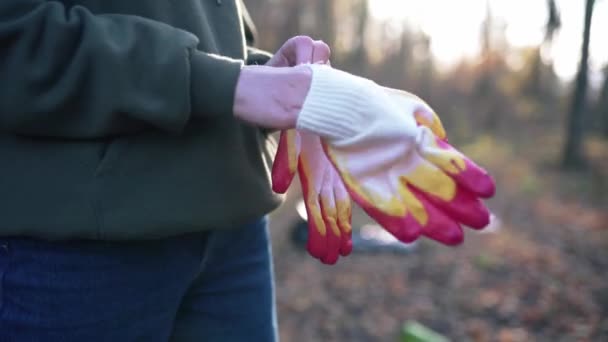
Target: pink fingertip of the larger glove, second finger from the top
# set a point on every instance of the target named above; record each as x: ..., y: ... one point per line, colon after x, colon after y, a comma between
x: 466, y: 208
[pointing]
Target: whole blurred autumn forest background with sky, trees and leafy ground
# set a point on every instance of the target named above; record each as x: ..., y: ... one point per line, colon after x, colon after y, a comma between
x: 522, y: 88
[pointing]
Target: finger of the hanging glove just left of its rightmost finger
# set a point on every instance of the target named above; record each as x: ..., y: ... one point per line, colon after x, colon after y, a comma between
x: 330, y: 217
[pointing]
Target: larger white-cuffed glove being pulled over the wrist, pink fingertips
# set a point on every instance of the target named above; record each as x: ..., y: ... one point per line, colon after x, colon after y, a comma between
x: 388, y: 147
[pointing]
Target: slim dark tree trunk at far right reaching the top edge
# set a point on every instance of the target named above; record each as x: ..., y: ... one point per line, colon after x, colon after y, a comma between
x: 573, y: 151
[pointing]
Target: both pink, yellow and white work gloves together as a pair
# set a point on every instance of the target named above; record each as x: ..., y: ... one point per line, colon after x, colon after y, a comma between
x: 386, y: 150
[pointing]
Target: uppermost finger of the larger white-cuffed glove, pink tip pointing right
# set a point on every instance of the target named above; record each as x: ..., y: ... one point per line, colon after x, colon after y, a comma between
x: 464, y: 171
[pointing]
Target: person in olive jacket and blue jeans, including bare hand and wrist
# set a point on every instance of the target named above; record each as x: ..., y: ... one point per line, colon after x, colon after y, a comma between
x: 134, y: 184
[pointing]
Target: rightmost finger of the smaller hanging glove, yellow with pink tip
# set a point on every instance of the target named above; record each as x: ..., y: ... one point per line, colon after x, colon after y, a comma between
x: 344, y: 208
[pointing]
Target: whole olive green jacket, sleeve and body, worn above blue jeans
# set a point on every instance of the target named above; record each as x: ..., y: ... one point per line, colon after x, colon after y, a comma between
x: 116, y: 119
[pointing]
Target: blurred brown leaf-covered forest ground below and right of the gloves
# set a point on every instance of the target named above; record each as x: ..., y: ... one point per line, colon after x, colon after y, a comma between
x: 541, y: 276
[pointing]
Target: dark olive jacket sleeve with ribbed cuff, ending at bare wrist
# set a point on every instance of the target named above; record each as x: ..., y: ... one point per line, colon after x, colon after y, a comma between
x: 70, y: 73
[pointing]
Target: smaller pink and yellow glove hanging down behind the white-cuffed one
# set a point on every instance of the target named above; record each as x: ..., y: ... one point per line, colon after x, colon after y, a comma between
x: 327, y: 202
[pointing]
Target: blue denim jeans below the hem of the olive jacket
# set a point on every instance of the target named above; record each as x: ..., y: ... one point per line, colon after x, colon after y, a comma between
x: 212, y: 286
